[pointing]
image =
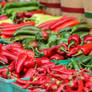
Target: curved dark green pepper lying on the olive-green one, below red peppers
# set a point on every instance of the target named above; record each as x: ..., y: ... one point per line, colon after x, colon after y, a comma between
x: 21, y: 32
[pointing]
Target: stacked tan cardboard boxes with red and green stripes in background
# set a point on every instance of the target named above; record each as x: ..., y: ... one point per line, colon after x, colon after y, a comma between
x: 78, y: 8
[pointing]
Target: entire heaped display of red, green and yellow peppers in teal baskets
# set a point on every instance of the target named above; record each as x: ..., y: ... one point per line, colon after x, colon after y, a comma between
x: 43, y: 53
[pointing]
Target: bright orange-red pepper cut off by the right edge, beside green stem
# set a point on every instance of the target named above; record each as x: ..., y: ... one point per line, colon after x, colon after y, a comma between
x: 86, y: 48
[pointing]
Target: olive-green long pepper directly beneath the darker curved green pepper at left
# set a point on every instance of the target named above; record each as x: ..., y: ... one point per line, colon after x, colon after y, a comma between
x: 22, y: 37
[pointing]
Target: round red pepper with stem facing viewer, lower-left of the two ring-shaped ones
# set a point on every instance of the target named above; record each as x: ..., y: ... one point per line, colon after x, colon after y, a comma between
x: 61, y: 49
